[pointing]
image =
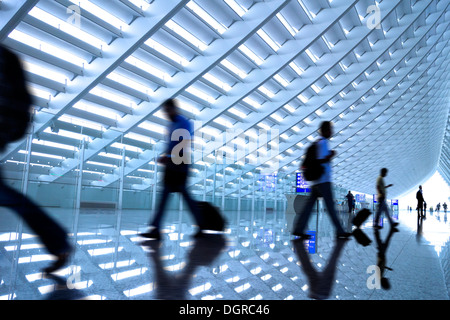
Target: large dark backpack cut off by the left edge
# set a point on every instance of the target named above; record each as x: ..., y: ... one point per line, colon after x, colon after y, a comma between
x: 15, y: 100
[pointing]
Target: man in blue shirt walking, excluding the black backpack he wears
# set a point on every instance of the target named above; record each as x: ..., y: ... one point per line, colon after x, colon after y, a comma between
x: 321, y: 187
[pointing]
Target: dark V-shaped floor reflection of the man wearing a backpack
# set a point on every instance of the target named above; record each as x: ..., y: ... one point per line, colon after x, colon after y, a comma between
x: 320, y: 283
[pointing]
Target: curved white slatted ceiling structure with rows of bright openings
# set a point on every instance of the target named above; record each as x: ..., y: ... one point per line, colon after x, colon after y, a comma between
x: 256, y: 77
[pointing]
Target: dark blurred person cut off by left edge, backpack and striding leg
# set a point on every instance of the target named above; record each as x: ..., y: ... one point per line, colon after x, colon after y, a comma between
x: 15, y: 116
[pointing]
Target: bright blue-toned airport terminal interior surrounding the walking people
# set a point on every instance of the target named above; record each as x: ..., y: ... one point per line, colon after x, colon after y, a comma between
x: 256, y: 79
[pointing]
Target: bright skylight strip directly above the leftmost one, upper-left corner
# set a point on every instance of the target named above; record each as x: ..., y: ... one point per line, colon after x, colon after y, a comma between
x: 67, y: 27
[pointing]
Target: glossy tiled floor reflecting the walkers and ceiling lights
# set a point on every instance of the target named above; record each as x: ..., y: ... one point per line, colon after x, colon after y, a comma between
x: 256, y: 258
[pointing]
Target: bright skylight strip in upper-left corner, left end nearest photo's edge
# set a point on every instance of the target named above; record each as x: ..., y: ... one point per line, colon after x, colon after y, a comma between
x: 47, y: 48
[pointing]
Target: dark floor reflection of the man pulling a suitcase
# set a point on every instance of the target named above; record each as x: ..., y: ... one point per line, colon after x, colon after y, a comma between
x: 204, y: 251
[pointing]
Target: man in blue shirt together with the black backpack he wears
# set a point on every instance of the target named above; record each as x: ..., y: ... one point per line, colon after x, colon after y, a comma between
x: 317, y: 169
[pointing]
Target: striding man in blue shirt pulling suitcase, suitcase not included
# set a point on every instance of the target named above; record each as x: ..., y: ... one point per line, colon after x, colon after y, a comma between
x: 177, y: 159
